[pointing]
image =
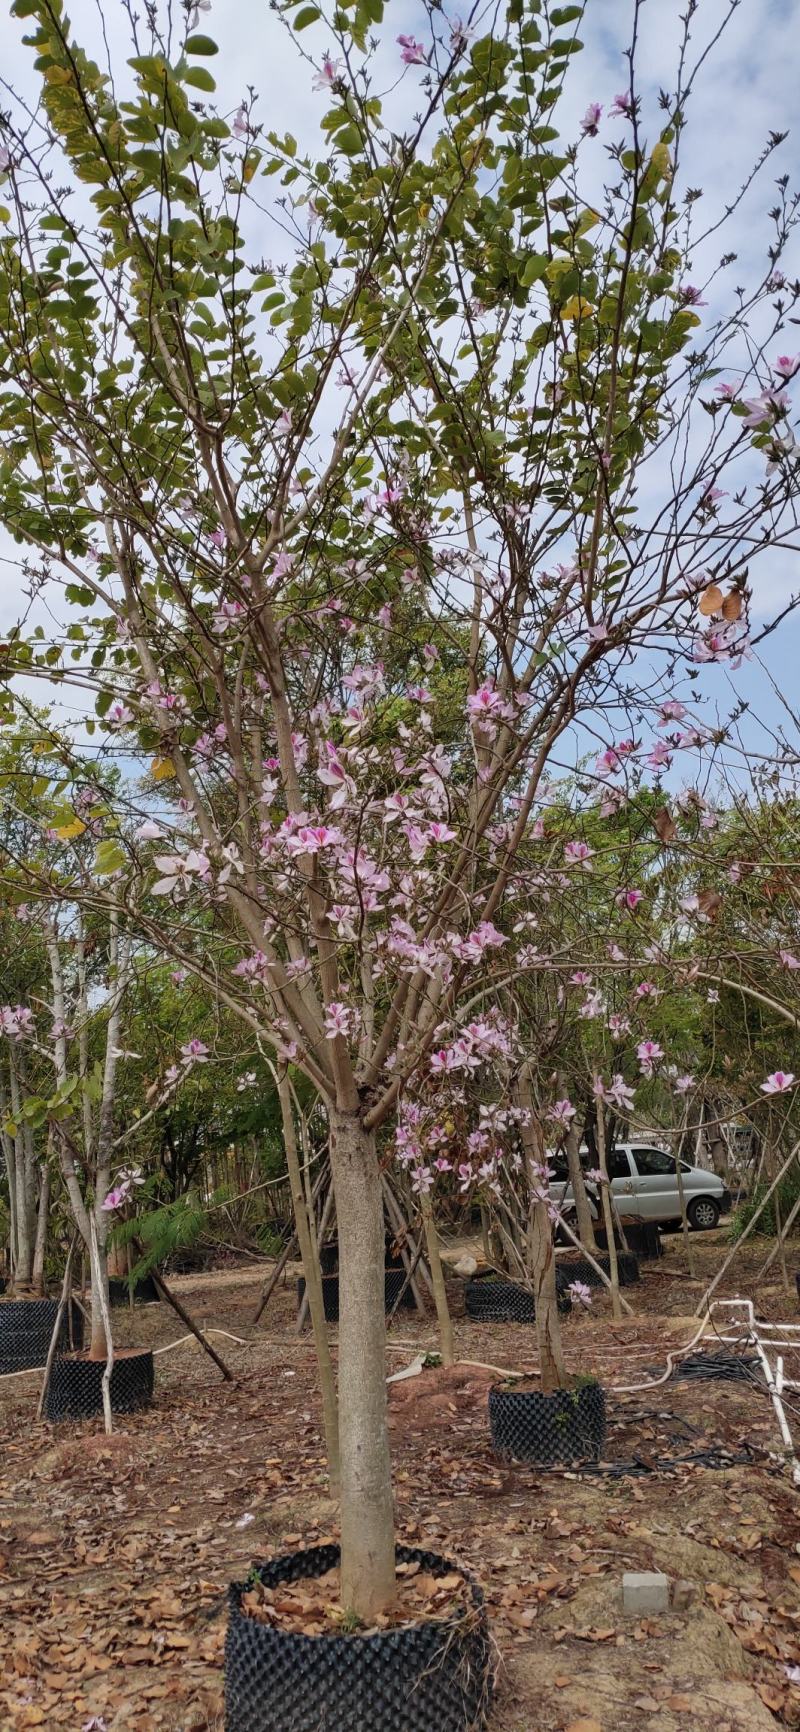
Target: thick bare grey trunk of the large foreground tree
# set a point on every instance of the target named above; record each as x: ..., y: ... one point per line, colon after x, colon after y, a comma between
x: 368, y: 1520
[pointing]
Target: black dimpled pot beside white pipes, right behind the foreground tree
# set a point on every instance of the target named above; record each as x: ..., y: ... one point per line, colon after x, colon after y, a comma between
x: 565, y: 1426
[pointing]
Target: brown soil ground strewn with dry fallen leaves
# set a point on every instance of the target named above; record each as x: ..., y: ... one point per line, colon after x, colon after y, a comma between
x: 115, y: 1554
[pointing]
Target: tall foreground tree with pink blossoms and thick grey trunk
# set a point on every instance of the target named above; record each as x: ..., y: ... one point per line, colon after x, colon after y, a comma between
x: 359, y: 540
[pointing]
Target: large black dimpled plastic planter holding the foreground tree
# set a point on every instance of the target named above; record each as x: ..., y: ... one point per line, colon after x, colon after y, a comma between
x: 430, y: 1677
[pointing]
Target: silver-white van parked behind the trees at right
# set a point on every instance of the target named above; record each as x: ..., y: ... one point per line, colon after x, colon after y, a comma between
x: 645, y: 1187
